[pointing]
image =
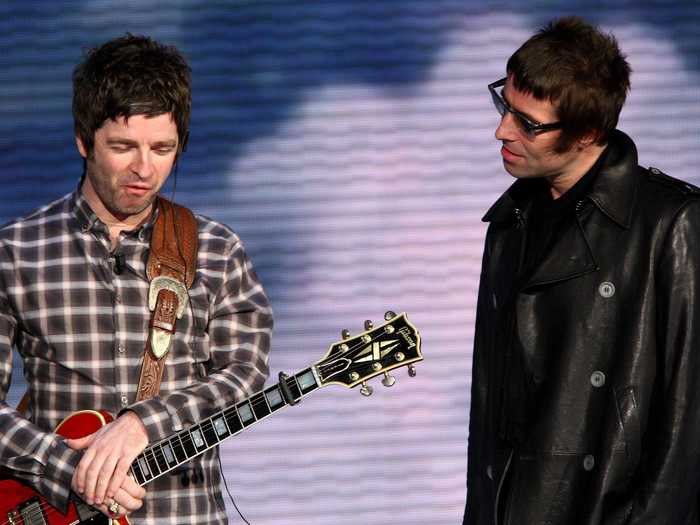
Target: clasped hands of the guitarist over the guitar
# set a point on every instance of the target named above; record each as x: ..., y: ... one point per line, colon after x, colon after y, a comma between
x: 102, y: 472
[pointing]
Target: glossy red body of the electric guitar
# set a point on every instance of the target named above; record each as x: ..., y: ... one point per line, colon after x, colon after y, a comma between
x: 20, y: 505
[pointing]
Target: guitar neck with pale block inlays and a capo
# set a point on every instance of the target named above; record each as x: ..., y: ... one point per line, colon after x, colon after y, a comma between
x: 166, y: 455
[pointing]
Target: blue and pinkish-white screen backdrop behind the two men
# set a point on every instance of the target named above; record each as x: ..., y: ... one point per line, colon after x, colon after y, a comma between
x: 350, y: 144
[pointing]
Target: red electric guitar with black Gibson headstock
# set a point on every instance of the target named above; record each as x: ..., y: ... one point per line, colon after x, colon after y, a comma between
x: 349, y: 362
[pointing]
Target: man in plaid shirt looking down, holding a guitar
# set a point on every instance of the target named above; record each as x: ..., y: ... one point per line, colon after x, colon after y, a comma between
x: 75, y: 280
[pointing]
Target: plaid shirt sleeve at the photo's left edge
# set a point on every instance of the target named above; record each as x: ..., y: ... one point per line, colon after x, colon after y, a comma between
x: 38, y: 459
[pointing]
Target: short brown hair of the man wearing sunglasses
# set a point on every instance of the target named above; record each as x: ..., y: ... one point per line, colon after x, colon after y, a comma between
x: 581, y: 71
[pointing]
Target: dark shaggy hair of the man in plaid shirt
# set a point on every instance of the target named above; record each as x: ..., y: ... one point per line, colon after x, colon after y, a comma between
x: 130, y: 75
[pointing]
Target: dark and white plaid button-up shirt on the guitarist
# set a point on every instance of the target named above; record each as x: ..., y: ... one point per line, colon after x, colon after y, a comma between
x: 81, y: 329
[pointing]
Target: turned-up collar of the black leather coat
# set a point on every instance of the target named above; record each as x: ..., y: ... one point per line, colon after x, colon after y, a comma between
x: 614, y: 190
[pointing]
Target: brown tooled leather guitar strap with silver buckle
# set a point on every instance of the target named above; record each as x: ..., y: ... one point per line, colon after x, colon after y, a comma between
x: 171, y: 267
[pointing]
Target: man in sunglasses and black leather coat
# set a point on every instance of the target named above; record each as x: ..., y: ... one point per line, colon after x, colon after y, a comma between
x: 584, y: 405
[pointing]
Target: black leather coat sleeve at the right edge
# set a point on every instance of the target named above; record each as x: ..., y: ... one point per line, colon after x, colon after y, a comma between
x: 669, y: 474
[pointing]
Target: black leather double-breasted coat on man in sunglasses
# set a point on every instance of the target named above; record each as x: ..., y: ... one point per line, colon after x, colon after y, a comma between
x: 609, y: 326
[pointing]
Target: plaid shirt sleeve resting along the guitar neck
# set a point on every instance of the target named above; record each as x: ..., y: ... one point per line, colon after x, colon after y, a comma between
x: 239, y: 330
